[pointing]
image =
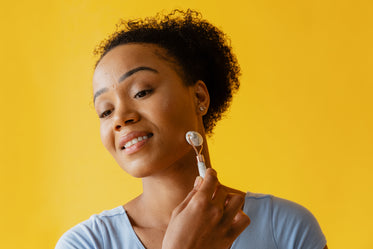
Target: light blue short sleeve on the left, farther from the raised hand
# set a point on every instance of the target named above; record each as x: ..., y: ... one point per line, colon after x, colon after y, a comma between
x: 85, y: 235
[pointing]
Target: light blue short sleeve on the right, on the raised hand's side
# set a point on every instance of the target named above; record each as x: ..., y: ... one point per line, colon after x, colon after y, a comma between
x: 294, y: 227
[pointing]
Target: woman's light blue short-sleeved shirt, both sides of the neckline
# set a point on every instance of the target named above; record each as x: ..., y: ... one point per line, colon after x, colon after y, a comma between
x: 275, y: 224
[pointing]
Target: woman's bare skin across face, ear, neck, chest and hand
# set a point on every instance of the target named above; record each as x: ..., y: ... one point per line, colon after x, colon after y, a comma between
x: 177, y: 209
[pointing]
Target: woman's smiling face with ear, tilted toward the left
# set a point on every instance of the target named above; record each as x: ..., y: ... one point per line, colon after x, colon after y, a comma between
x: 145, y: 109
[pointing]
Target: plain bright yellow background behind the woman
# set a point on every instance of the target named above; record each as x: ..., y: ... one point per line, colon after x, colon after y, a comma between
x: 300, y: 128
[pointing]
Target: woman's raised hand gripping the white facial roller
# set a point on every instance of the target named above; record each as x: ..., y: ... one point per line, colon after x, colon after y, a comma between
x: 209, y: 217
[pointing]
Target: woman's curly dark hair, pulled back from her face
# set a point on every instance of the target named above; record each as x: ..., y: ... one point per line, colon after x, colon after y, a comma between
x: 202, y: 51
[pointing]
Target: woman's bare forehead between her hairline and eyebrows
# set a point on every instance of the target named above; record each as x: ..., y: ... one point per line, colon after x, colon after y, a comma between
x: 123, y: 58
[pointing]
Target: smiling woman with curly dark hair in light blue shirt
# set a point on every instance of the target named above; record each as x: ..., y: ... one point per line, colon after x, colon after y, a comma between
x: 155, y: 80
